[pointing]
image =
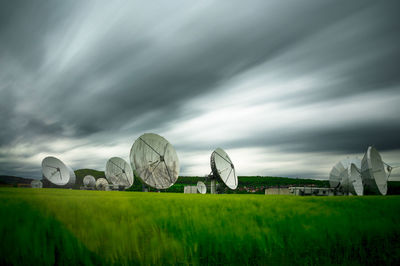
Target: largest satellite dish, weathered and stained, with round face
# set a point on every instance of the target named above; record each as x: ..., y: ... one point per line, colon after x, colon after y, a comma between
x: 155, y: 161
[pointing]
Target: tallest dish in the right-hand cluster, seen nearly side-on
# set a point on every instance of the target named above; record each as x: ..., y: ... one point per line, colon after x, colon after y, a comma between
x: 373, y: 173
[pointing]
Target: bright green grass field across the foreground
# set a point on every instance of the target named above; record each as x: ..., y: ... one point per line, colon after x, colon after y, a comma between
x: 47, y: 226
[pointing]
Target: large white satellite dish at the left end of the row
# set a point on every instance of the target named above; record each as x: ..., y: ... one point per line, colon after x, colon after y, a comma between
x: 55, y: 171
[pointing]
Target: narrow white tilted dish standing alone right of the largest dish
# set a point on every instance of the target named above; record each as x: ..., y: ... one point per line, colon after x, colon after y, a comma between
x: 223, y: 168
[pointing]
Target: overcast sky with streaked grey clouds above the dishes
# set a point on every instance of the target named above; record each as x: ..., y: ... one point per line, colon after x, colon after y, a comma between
x: 287, y: 88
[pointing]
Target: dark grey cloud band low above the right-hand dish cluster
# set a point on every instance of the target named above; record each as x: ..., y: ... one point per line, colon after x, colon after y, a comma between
x: 340, y: 140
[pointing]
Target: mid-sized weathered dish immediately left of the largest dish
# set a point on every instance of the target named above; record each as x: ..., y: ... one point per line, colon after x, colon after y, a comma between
x: 119, y: 172
